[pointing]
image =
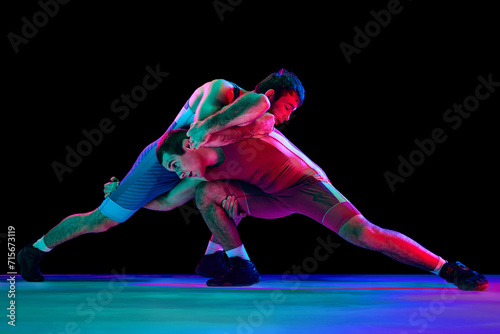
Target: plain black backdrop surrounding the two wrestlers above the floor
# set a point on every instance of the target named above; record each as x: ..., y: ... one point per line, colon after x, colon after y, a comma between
x: 356, y: 120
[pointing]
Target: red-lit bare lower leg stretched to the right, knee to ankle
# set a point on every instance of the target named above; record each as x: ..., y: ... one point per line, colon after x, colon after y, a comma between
x: 397, y: 246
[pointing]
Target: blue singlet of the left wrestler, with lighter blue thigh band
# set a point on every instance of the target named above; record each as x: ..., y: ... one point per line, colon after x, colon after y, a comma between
x: 146, y: 180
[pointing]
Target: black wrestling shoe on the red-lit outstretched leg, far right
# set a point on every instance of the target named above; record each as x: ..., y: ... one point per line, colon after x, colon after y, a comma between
x: 463, y: 277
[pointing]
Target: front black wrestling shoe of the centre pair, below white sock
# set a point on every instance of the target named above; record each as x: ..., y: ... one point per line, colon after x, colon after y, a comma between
x: 242, y: 273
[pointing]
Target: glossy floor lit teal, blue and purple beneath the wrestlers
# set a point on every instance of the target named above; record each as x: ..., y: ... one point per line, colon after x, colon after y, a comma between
x: 117, y: 303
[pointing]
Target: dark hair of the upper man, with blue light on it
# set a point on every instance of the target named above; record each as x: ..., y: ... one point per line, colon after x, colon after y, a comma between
x: 282, y: 82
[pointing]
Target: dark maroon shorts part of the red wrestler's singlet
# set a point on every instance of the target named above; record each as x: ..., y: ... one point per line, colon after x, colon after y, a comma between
x: 310, y: 197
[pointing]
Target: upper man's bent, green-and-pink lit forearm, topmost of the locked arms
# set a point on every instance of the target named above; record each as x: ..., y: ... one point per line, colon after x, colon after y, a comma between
x: 244, y: 110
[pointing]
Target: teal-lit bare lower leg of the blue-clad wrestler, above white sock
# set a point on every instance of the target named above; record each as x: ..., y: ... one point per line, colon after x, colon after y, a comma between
x: 76, y: 225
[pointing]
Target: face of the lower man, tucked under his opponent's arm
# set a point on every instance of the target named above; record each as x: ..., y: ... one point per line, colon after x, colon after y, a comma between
x: 190, y: 164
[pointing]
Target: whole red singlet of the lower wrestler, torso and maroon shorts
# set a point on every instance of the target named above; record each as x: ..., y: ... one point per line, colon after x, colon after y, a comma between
x: 279, y: 180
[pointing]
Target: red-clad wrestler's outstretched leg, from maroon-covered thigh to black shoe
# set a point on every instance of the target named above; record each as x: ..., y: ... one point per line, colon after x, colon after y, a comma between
x: 322, y: 202
